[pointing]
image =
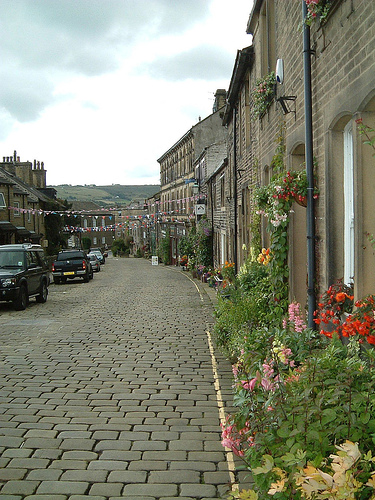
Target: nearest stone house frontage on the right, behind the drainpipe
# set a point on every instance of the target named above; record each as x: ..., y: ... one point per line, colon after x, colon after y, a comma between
x: 342, y: 91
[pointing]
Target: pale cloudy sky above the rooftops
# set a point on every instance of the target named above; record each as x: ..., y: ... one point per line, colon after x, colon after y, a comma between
x: 100, y: 89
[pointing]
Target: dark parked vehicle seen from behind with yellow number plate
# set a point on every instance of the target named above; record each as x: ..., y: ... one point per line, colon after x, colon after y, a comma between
x: 71, y: 264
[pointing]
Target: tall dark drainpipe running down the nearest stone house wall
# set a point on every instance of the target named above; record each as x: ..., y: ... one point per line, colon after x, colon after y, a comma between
x: 310, y: 222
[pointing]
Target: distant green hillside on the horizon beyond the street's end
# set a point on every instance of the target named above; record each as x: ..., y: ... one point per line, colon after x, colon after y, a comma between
x: 116, y: 194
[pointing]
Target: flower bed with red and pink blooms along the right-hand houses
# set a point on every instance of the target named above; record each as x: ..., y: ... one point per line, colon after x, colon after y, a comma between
x: 303, y: 398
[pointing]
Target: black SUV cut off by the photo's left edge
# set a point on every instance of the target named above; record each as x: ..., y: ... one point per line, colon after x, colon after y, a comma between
x: 24, y: 273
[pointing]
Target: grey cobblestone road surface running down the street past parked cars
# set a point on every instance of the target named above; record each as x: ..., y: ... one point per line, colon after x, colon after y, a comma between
x: 107, y: 390
